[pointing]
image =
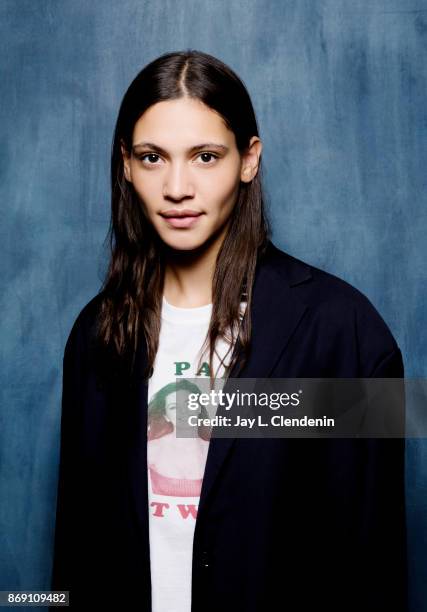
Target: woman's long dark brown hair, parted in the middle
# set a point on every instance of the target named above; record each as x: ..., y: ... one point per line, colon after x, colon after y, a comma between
x: 132, y: 290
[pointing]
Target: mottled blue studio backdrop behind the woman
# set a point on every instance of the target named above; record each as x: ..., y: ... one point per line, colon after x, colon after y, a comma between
x: 340, y: 90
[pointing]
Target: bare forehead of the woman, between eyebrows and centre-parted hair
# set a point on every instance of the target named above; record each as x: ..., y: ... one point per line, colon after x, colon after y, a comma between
x: 181, y: 122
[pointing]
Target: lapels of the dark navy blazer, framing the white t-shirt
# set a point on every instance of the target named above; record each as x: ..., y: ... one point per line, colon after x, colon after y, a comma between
x: 275, y: 313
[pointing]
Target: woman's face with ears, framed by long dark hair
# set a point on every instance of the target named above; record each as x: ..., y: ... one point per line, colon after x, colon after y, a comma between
x: 185, y: 160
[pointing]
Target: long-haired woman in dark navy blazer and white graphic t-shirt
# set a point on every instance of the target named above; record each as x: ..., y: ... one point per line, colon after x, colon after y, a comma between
x: 195, y: 288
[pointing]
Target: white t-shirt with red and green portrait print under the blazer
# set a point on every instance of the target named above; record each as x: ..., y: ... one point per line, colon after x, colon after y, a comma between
x: 176, y: 465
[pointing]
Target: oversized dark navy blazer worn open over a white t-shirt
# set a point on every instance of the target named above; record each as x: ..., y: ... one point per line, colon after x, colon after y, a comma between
x: 283, y: 524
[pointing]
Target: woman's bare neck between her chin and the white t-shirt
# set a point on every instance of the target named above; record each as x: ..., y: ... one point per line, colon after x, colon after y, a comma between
x: 189, y: 274
